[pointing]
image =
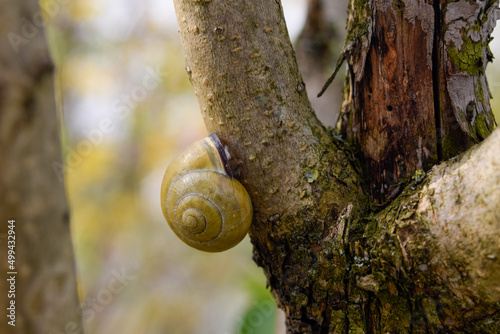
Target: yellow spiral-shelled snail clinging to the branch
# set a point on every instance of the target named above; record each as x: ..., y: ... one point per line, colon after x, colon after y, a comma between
x: 203, y: 203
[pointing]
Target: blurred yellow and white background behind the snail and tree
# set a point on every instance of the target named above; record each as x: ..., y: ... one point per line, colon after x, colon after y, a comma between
x: 129, y: 109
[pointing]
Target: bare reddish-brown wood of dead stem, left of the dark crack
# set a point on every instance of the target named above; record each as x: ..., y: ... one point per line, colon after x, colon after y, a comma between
x: 391, y: 116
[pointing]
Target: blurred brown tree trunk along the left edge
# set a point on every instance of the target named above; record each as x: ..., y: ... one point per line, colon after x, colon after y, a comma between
x: 32, y: 190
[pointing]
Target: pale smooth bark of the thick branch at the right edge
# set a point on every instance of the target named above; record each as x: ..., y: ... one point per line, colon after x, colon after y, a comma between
x: 461, y: 208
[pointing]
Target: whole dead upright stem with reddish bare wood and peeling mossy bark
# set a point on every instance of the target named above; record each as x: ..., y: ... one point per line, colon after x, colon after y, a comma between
x: 418, y: 93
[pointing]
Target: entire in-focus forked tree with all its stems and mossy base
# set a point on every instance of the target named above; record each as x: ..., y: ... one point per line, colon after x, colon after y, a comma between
x: 343, y: 255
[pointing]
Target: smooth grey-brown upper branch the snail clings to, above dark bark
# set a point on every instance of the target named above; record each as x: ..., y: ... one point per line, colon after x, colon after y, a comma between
x: 243, y: 69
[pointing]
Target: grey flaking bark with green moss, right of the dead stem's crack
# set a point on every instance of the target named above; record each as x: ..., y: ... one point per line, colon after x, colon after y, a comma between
x: 468, y: 28
